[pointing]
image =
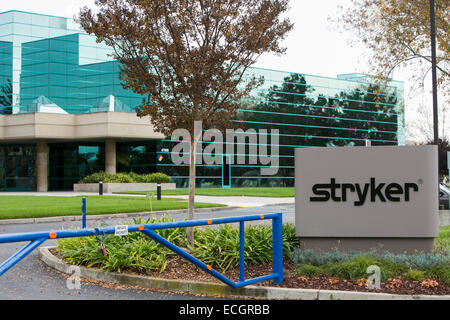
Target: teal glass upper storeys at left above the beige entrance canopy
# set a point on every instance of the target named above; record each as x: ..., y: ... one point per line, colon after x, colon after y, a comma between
x: 48, y: 64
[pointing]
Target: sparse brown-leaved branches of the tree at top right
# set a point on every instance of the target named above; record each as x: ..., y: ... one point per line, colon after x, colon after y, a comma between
x: 397, y: 33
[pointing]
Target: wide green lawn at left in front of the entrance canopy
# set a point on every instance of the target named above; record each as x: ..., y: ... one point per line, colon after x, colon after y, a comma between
x: 12, y: 207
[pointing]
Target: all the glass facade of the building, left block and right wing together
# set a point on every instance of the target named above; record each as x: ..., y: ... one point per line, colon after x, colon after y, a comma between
x: 48, y: 64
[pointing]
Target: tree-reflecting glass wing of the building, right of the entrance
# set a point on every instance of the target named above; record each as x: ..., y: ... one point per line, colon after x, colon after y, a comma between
x: 307, y: 111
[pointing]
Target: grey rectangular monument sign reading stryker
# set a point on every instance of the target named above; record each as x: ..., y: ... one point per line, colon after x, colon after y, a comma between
x: 367, y: 194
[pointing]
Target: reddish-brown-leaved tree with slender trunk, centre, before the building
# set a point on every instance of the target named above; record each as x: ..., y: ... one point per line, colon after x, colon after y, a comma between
x: 188, y: 58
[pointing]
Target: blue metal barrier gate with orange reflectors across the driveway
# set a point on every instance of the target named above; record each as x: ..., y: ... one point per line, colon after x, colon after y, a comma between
x: 37, y: 238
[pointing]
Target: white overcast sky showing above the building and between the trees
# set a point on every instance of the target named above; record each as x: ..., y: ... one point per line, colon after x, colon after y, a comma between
x: 315, y: 46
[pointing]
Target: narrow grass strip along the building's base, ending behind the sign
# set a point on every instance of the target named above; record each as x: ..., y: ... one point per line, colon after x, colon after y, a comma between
x: 278, y: 192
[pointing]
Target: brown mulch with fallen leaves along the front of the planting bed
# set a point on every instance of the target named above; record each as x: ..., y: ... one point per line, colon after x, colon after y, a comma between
x: 180, y: 269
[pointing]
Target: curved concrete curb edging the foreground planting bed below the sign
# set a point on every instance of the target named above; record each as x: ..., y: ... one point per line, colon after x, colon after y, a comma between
x: 207, y: 288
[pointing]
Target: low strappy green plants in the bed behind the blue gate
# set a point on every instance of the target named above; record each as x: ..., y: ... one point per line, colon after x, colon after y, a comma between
x: 216, y: 246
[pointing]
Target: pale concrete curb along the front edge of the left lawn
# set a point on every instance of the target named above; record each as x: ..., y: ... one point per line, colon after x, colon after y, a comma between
x: 107, y: 216
